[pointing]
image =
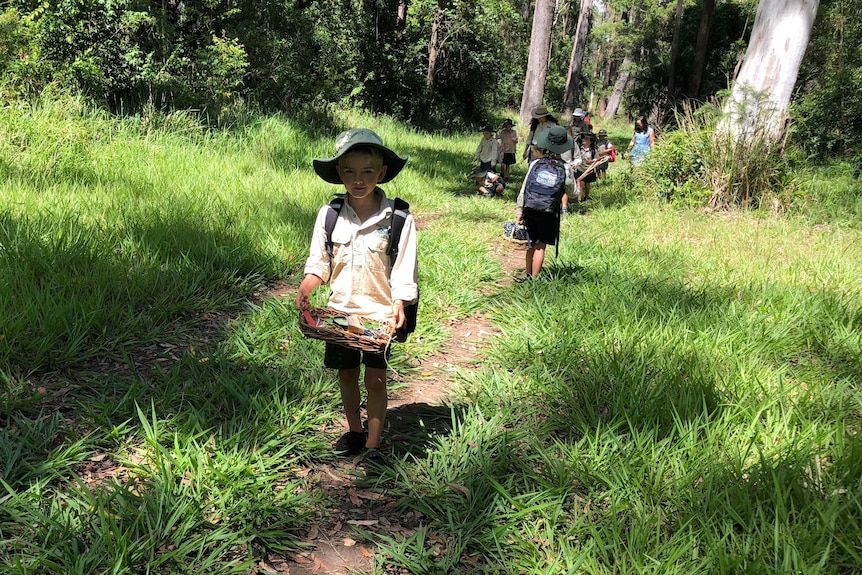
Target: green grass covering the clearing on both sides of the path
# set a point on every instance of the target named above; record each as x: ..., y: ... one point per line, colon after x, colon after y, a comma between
x: 678, y: 394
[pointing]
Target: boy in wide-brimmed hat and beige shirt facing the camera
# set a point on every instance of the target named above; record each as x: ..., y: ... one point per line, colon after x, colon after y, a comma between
x: 363, y: 278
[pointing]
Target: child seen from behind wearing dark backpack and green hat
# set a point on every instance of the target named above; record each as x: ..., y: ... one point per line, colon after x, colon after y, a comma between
x: 541, y: 195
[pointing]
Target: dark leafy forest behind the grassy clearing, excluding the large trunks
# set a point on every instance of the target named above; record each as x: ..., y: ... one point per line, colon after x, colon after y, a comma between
x: 436, y: 64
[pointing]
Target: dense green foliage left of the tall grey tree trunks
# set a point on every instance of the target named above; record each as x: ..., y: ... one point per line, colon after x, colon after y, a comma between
x: 227, y: 58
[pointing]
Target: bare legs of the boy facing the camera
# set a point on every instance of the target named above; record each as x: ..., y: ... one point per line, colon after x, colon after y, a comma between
x: 375, y: 385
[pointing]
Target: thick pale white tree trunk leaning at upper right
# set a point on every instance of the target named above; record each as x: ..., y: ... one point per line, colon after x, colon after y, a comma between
x: 759, y: 99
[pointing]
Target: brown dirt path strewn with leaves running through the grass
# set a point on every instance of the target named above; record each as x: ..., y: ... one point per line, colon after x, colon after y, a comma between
x: 334, y: 541
